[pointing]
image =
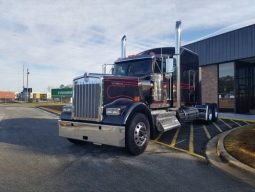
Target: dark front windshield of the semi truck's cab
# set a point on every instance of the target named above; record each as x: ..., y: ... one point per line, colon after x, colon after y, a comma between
x: 133, y: 67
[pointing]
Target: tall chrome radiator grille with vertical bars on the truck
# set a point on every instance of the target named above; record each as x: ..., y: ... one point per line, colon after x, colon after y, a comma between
x: 87, y: 99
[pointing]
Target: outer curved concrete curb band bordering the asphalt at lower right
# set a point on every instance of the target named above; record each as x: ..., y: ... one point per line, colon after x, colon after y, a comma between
x: 217, y: 159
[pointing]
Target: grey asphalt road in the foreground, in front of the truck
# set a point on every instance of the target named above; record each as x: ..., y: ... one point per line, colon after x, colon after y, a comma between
x: 34, y: 158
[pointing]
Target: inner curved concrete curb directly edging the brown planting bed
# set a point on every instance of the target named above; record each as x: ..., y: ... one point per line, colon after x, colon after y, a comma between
x: 221, y: 151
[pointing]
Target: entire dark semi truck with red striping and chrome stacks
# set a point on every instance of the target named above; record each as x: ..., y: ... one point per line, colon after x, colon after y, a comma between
x: 147, y: 94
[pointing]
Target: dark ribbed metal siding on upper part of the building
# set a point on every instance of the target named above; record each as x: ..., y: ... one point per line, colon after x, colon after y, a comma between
x: 226, y: 47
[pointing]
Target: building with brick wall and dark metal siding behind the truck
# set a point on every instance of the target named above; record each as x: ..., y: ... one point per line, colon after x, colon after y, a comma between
x: 227, y: 69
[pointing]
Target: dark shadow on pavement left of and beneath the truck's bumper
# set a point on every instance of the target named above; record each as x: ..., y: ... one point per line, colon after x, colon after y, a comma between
x: 41, y: 136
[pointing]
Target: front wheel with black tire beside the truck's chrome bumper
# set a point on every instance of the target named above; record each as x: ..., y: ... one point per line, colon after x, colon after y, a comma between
x: 137, y: 134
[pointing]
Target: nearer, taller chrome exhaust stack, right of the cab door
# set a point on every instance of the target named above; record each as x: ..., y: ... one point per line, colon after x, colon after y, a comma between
x: 178, y: 62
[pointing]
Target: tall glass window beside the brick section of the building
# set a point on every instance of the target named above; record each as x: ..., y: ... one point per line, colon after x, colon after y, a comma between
x: 226, y: 87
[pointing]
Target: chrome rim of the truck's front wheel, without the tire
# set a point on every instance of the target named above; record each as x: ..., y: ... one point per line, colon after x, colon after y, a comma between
x: 140, y: 134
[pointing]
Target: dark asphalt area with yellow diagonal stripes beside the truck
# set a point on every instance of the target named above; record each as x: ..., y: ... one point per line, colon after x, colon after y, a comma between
x: 192, y: 138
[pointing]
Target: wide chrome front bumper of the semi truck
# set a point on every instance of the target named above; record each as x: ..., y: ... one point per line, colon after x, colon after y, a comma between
x: 95, y: 133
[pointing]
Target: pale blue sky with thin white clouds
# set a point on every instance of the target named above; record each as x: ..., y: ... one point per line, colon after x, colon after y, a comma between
x: 58, y: 40
